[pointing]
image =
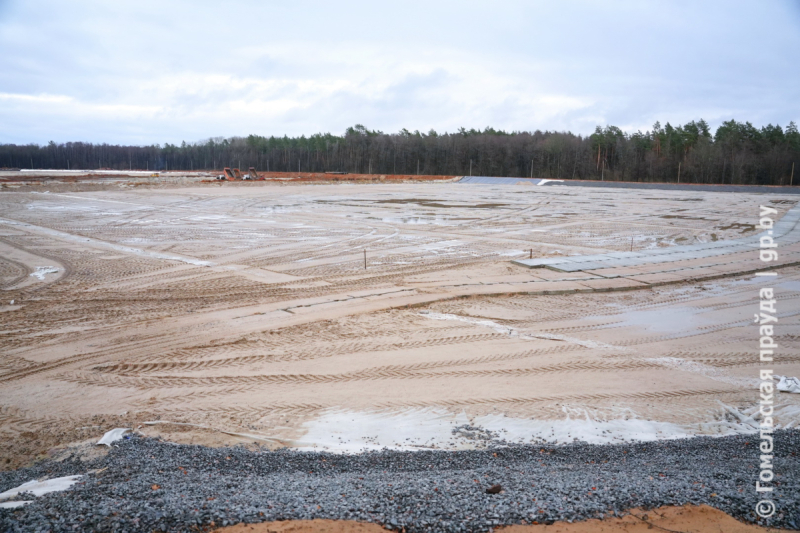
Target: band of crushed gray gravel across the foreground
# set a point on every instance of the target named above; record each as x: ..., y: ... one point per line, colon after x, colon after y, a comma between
x: 149, y: 485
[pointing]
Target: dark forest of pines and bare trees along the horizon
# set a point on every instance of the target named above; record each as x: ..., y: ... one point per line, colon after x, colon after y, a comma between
x: 736, y: 153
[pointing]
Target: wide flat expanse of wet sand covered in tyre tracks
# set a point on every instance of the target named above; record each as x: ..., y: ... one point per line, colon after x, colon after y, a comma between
x: 246, y: 314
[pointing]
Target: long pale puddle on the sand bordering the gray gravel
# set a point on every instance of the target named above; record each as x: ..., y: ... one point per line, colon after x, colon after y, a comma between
x: 344, y: 431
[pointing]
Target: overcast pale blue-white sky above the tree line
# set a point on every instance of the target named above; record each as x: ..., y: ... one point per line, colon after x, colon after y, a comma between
x: 149, y: 72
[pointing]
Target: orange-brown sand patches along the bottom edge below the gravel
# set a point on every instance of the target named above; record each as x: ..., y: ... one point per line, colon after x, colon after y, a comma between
x: 688, y: 519
